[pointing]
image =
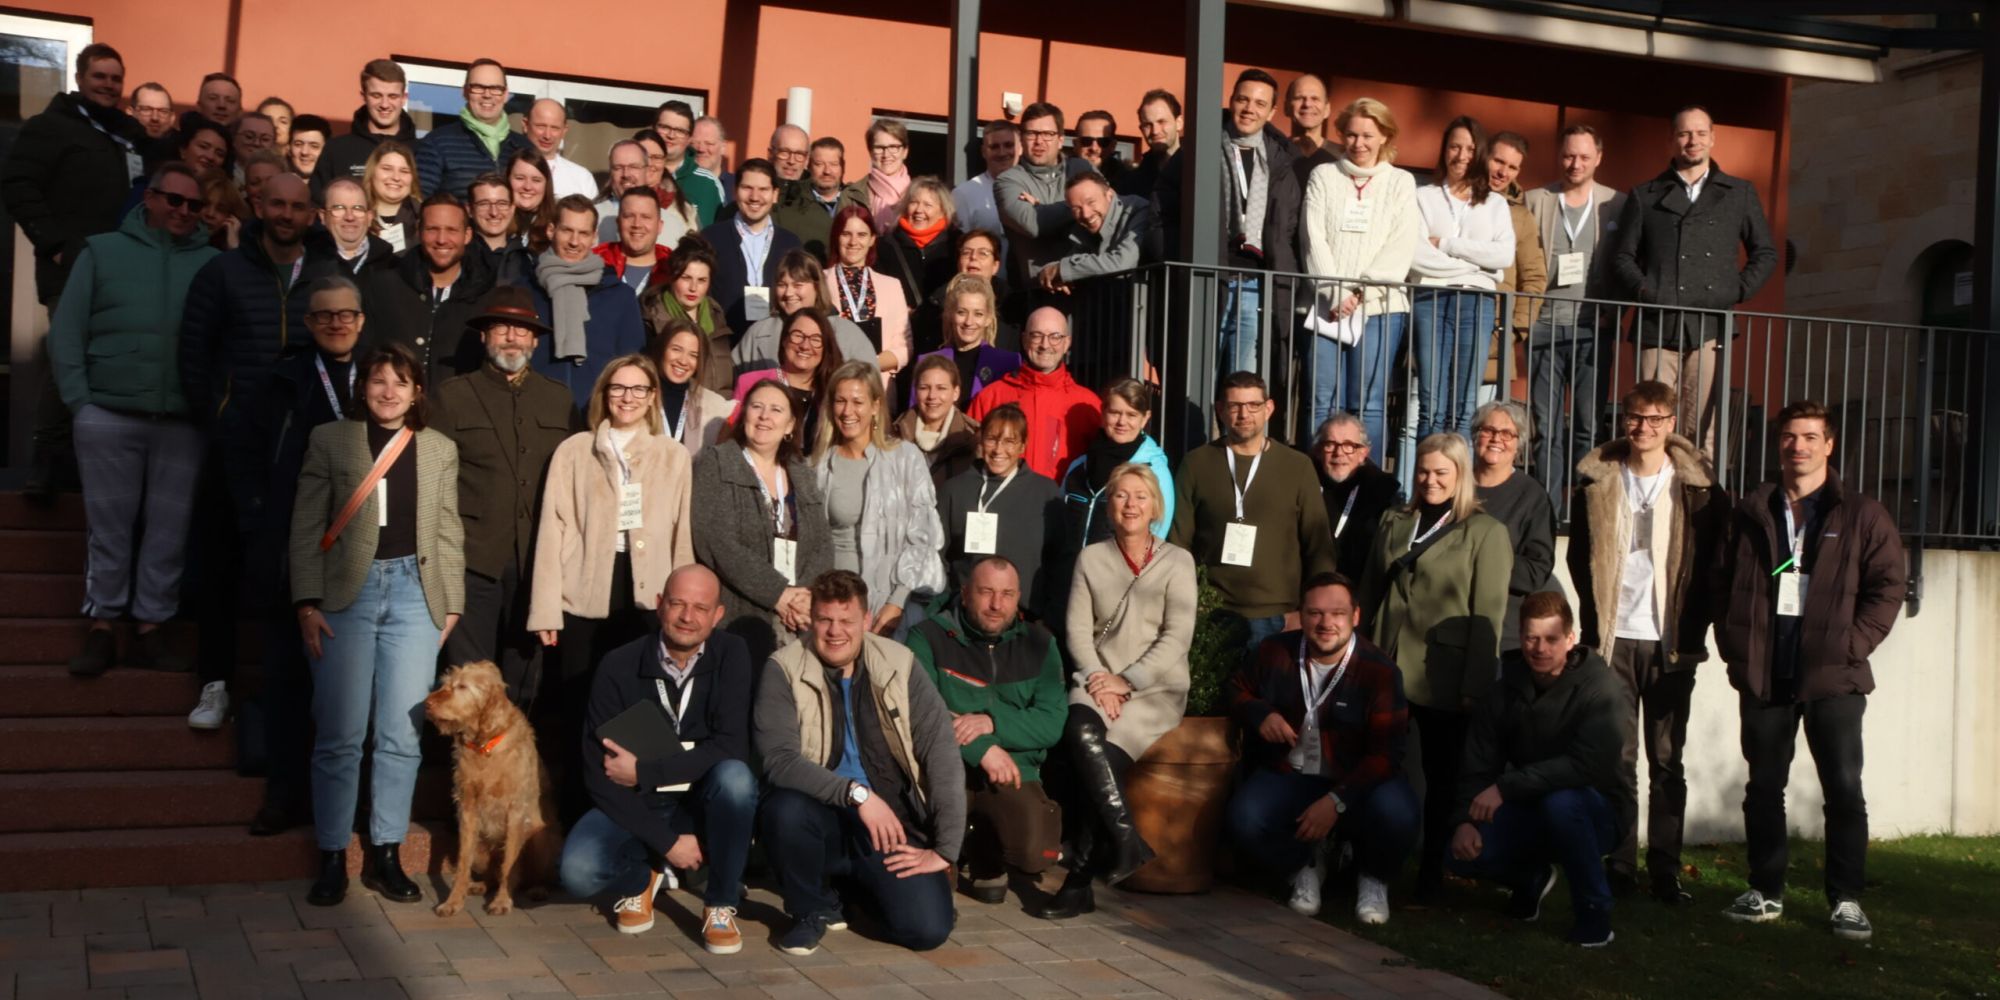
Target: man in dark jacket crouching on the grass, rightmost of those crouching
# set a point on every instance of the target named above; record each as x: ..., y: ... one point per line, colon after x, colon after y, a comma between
x: 1543, y: 787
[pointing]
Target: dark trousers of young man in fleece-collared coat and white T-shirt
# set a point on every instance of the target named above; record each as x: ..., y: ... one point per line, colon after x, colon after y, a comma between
x: 1659, y: 699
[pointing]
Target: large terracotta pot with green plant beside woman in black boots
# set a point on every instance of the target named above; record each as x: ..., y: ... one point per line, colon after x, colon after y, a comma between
x: 1183, y: 785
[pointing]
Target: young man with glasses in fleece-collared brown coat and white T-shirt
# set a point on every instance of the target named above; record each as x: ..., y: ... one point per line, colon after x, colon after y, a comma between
x: 1647, y: 515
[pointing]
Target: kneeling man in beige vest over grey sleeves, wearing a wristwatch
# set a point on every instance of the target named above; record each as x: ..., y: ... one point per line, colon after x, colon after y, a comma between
x: 865, y: 777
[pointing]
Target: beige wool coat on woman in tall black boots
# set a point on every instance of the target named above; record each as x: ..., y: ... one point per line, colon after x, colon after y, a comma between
x: 1147, y: 643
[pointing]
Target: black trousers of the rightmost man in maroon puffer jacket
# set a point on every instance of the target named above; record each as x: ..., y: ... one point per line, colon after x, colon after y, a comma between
x: 1835, y: 737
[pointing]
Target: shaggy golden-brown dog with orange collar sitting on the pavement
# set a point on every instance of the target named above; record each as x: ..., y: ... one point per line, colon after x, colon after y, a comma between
x: 507, y: 809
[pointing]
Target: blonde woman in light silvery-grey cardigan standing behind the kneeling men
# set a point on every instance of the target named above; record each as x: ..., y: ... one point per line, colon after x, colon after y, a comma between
x: 881, y: 505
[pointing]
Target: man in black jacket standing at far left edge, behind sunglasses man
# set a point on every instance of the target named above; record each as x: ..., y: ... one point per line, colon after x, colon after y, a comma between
x: 67, y: 179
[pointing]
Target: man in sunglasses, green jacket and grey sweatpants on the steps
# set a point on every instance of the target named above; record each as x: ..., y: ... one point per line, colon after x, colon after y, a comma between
x: 115, y: 353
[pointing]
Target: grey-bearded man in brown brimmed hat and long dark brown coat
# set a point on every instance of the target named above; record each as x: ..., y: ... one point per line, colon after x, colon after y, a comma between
x: 507, y: 423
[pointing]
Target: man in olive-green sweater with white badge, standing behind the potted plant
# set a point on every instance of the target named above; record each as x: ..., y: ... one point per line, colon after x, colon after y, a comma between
x: 1251, y: 513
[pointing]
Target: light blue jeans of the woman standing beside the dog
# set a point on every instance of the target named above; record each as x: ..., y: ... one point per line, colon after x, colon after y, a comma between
x: 381, y: 663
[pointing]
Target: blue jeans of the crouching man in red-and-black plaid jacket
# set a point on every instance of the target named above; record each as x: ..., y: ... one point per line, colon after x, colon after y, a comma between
x: 1263, y: 819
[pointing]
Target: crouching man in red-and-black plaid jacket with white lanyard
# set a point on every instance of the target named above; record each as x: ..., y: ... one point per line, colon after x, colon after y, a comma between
x: 1325, y: 731
